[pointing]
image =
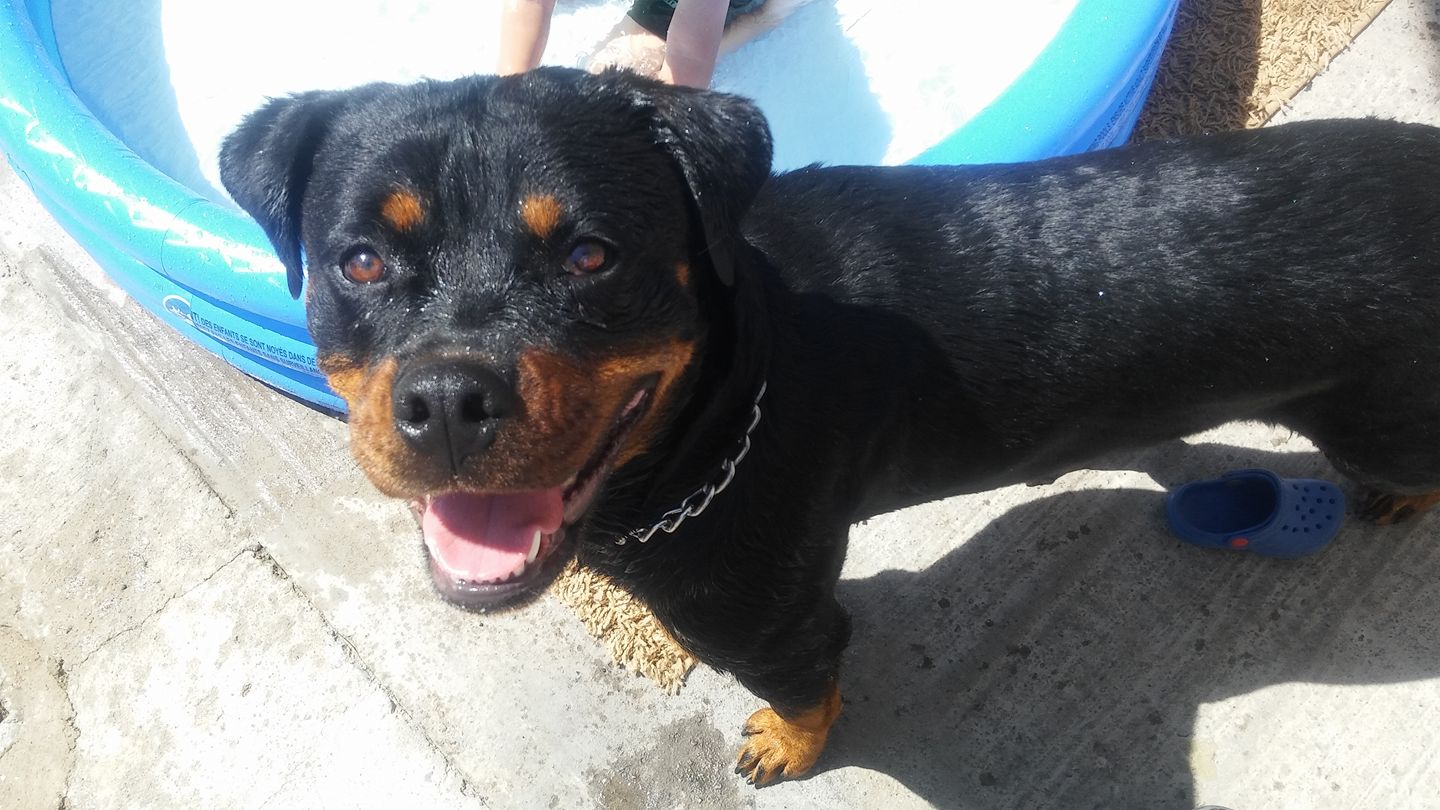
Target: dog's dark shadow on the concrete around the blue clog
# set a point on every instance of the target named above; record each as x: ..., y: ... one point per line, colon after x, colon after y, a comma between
x: 1061, y: 657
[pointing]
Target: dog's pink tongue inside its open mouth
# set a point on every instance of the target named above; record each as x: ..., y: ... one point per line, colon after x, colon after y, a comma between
x: 485, y: 538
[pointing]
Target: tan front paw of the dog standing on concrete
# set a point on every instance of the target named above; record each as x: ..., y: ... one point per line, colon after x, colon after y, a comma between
x: 786, y: 747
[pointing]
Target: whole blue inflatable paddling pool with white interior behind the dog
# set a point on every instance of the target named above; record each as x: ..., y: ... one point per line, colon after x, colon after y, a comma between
x: 113, y: 112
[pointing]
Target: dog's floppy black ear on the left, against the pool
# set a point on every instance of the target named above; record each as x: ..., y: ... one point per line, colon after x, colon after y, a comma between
x: 266, y: 165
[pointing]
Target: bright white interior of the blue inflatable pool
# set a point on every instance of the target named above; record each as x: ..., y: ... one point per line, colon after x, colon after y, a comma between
x: 842, y: 81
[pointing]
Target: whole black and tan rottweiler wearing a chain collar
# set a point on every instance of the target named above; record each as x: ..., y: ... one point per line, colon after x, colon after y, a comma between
x: 567, y: 311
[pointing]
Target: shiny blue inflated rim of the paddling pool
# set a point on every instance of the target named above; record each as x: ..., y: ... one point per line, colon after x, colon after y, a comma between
x: 210, y: 272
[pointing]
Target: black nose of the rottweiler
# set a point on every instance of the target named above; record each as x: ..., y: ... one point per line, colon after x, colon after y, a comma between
x: 450, y: 409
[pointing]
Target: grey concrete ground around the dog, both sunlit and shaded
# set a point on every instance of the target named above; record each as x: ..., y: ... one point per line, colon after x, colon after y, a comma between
x: 204, y: 605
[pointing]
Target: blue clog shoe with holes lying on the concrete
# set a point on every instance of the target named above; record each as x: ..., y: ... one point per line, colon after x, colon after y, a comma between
x: 1258, y: 512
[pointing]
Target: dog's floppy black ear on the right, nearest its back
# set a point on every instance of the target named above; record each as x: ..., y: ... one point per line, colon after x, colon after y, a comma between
x: 722, y: 145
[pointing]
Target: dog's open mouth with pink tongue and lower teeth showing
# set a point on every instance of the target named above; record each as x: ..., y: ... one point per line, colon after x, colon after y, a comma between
x: 492, y: 550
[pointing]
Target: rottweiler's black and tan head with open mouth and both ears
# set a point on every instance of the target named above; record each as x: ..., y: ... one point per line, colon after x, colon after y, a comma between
x: 506, y: 283
